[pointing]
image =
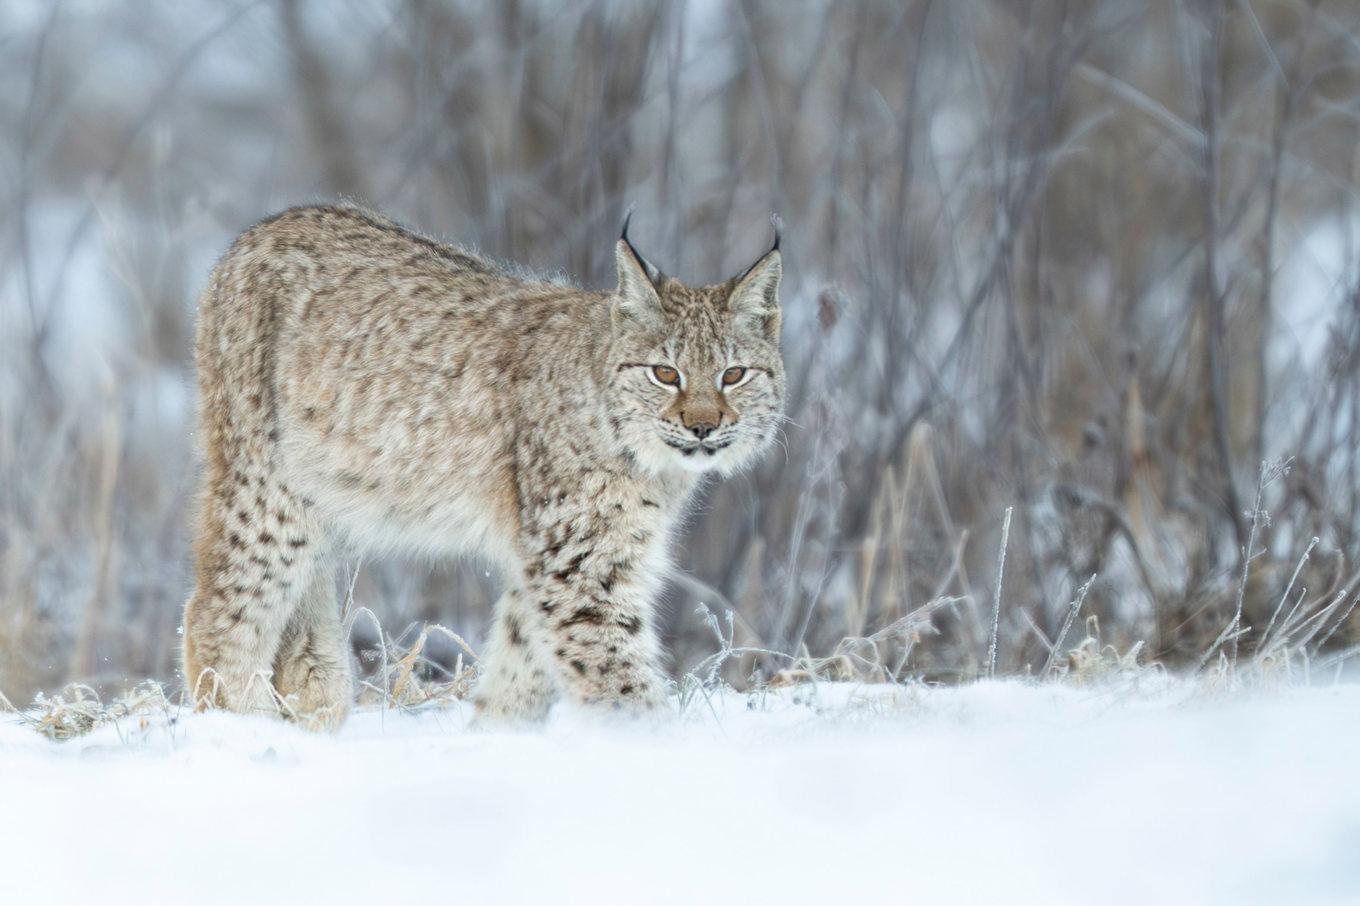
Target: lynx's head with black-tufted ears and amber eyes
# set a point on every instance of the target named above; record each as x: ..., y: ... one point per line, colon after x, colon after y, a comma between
x: 696, y: 376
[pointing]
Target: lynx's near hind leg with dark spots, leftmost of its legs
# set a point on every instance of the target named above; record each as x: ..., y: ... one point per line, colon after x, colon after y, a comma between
x: 255, y: 558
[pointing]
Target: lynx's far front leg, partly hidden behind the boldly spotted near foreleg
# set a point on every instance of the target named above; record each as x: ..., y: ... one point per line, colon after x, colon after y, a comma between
x: 516, y: 686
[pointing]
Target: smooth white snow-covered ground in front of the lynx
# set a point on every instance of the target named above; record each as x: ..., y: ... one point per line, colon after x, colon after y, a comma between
x: 1144, y: 792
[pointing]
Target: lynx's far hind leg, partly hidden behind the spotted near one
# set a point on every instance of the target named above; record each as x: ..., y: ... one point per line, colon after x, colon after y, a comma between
x: 312, y: 667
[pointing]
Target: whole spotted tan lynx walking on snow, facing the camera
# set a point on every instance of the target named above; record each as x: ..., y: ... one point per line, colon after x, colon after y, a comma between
x: 367, y: 388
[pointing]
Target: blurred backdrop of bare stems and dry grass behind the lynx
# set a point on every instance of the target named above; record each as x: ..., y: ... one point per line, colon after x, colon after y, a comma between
x: 1087, y: 262
